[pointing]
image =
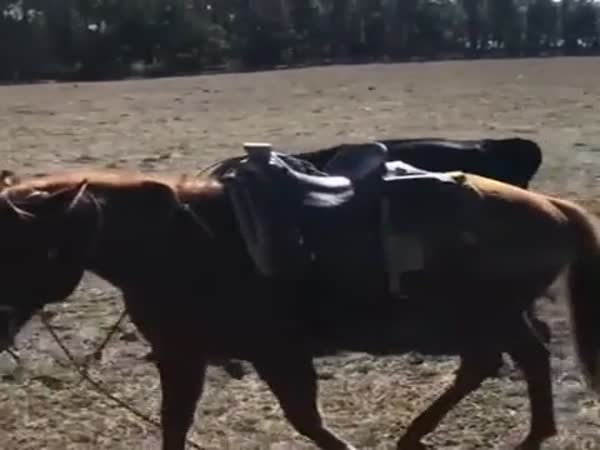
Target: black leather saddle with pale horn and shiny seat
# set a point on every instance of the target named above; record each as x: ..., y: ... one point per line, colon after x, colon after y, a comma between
x: 292, y: 214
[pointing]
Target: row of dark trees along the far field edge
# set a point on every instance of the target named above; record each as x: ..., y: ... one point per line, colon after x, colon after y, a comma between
x: 98, y: 39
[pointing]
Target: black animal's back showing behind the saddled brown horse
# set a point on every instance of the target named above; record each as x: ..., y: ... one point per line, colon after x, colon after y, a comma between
x: 511, y: 160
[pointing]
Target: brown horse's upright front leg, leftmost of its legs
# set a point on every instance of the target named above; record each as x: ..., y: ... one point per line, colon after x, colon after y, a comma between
x: 182, y: 381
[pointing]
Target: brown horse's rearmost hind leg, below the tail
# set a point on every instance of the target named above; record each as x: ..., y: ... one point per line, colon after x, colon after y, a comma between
x: 533, y: 358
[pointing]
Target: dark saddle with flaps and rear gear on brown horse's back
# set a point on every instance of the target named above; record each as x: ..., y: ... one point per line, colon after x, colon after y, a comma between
x: 359, y: 211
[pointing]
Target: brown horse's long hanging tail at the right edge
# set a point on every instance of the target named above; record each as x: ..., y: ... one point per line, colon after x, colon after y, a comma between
x: 583, y: 284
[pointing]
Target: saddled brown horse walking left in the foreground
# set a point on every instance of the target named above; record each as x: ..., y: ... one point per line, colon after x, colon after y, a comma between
x: 174, y: 249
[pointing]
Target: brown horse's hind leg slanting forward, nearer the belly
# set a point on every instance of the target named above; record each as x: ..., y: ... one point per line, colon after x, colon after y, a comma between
x: 473, y: 370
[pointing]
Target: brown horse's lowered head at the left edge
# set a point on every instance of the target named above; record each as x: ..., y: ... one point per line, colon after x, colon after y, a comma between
x: 45, y: 236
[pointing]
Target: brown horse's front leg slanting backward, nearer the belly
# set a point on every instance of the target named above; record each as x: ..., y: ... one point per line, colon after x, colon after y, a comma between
x: 293, y: 381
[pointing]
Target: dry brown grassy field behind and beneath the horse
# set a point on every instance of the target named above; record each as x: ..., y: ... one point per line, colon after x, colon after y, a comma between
x: 181, y: 124
